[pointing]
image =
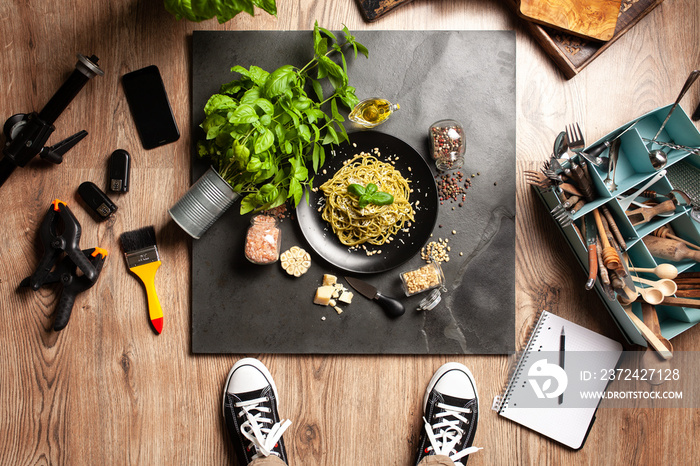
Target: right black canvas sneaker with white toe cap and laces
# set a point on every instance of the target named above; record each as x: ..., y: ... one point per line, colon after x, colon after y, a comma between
x: 451, y: 412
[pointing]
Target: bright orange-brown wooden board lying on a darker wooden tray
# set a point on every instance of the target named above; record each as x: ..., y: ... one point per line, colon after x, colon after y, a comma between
x: 595, y: 19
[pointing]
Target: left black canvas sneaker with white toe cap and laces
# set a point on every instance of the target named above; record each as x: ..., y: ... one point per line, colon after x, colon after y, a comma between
x: 250, y: 411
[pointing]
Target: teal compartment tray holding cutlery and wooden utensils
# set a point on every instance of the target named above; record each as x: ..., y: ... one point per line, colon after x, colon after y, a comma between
x: 633, y: 172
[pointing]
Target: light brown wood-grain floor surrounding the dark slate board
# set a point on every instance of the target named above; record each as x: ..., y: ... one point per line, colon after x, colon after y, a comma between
x: 108, y: 391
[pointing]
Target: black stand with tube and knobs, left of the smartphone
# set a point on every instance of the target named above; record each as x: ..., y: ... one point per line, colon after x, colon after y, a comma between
x: 27, y: 133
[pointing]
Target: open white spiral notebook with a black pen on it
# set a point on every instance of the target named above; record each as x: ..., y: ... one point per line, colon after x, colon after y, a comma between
x: 556, y: 393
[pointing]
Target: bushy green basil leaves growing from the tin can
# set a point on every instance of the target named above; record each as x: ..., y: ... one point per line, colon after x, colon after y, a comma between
x: 266, y: 135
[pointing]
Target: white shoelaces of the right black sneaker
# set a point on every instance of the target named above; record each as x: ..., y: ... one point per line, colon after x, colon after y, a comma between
x: 449, y: 433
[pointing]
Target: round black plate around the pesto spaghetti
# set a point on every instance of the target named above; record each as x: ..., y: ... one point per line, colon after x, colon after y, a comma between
x: 406, y: 244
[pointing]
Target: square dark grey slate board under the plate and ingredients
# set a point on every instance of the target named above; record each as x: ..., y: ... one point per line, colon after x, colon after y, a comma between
x: 469, y: 76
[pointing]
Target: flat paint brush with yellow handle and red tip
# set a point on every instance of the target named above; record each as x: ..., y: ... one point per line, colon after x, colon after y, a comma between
x: 142, y: 258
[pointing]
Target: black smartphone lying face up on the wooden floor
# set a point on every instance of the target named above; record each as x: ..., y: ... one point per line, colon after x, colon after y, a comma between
x: 150, y: 107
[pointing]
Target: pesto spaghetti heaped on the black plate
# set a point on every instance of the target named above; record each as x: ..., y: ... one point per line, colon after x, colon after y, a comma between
x: 373, y: 224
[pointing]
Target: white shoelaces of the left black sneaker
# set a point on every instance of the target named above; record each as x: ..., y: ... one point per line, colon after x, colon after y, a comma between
x: 255, y: 428
